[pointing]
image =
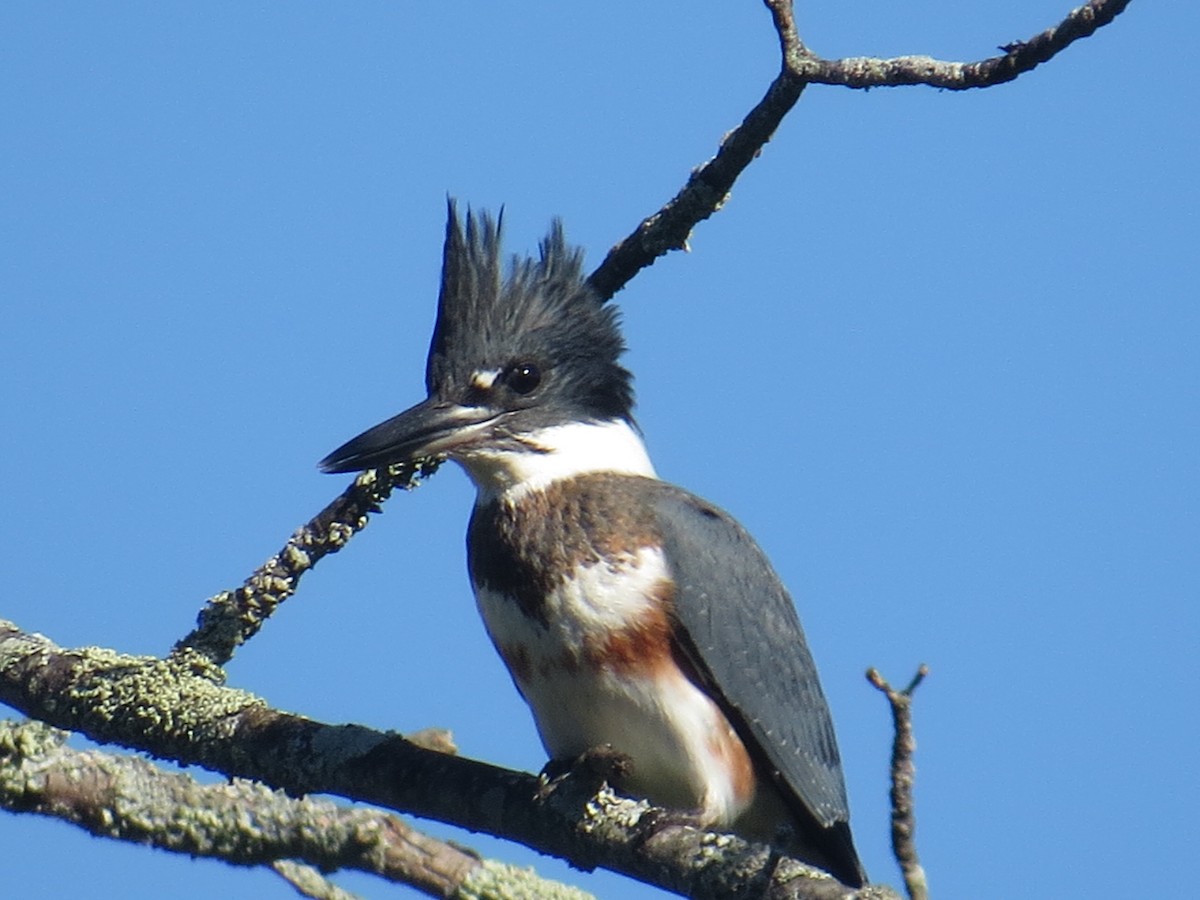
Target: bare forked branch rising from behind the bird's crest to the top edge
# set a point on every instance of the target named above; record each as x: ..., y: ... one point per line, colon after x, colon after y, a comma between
x: 709, y: 187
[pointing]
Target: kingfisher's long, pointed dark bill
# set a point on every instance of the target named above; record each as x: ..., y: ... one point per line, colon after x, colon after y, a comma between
x: 429, y: 429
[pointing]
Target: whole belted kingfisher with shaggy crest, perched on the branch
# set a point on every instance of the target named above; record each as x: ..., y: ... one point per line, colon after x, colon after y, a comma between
x: 629, y: 611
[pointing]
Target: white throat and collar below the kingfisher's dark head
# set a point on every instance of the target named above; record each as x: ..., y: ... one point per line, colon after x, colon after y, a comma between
x: 557, y: 453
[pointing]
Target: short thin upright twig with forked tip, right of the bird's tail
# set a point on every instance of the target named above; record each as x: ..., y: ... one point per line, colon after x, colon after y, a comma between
x: 904, y: 776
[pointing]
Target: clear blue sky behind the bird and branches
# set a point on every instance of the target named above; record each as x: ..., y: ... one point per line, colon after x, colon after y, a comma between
x: 939, y: 353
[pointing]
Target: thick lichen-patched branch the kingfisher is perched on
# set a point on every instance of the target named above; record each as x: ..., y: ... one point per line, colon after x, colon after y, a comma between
x: 177, y: 709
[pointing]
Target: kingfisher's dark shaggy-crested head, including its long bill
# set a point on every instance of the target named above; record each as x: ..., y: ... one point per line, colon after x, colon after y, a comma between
x: 518, y: 356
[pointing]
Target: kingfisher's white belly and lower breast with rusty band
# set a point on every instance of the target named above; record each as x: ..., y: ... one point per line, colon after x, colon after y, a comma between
x: 599, y: 671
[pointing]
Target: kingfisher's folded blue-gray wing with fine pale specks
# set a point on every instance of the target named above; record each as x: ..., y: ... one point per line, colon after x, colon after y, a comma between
x: 741, y: 632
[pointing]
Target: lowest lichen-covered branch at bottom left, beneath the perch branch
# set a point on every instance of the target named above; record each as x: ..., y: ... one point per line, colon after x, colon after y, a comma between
x: 241, y: 823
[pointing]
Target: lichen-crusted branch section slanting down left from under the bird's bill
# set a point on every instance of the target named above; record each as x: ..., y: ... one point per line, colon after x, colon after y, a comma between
x: 233, y: 617
